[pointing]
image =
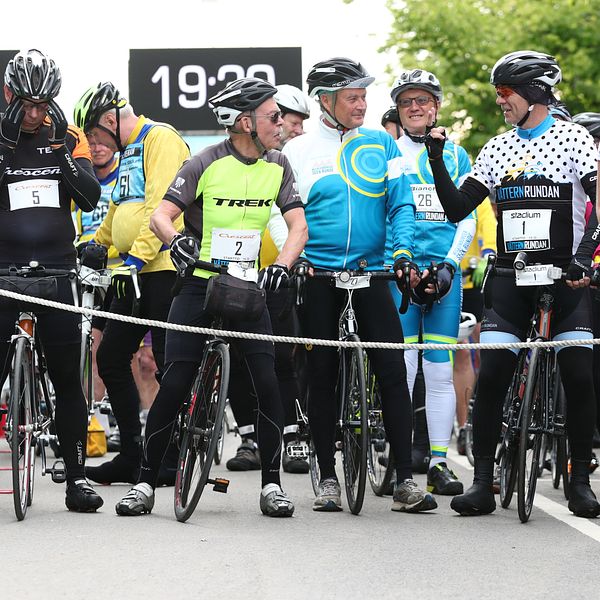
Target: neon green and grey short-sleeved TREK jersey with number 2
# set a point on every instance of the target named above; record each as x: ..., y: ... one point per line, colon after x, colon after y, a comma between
x: 227, y: 200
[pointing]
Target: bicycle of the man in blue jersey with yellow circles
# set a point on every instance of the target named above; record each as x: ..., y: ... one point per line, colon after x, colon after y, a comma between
x: 351, y: 390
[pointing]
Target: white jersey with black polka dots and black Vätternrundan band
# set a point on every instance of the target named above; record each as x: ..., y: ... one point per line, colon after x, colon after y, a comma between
x: 541, y: 177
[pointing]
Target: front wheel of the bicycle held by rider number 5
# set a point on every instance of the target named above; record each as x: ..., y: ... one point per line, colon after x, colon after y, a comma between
x: 21, y: 428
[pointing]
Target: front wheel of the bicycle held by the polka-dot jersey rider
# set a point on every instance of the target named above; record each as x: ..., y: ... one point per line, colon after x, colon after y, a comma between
x: 532, y: 425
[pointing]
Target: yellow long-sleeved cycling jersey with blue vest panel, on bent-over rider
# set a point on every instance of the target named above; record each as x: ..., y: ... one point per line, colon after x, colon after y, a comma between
x: 152, y: 148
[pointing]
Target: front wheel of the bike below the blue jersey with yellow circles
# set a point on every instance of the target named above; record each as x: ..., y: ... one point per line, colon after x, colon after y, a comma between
x: 355, y: 424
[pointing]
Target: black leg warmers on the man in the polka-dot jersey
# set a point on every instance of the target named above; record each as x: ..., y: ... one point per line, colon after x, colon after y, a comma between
x: 496, y: 371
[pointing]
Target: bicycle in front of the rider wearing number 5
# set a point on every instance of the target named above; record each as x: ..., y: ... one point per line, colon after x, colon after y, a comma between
x: 31, y: 406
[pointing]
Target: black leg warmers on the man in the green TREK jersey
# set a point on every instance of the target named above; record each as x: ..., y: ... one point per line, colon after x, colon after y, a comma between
x: 176, y: 383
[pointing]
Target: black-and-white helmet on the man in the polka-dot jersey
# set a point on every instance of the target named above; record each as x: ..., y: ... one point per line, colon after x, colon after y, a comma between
x: 526, y: 67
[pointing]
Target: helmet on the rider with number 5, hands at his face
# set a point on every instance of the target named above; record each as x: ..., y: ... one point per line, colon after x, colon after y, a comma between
x: 33, y: 75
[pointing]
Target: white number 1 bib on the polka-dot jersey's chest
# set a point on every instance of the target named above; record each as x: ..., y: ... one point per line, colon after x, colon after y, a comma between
x: 526, y: 229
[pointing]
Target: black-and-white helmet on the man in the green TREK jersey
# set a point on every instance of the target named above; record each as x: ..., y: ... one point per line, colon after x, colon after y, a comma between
x: 241, y: 95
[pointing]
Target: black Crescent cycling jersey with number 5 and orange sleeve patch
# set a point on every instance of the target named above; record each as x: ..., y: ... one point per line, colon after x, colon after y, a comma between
x: 35, y: 203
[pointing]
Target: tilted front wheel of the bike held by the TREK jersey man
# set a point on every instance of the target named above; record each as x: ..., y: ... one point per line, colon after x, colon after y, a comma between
x: 201, y: 428
